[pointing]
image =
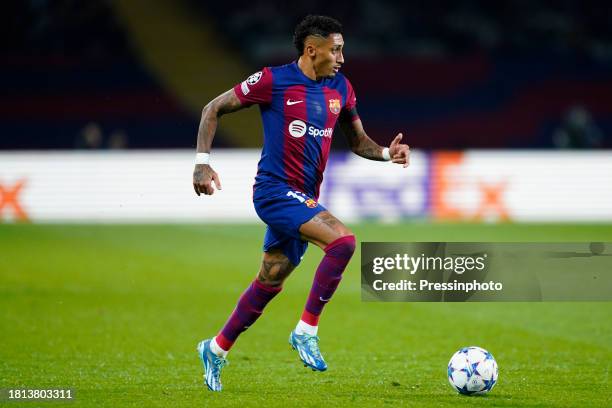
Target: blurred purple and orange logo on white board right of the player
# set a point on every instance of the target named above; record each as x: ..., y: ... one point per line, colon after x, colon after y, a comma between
x: 442, y: 185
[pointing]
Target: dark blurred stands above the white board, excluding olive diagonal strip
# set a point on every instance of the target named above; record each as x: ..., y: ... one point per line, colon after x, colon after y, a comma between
x: 71, y: 70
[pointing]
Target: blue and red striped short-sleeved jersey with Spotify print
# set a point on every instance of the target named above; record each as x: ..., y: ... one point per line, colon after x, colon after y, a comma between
x: 299, y: 115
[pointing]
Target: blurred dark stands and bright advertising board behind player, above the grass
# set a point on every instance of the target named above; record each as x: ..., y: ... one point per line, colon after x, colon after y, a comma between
x: 126, y: 81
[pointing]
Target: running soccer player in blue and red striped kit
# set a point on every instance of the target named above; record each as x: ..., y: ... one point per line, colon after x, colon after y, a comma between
x: 300, y: 104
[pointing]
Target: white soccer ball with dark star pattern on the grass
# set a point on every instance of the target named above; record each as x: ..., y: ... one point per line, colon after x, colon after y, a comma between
x: 472, y: 370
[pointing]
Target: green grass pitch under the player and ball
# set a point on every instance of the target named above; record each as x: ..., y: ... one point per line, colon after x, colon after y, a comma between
x: 115, y: 313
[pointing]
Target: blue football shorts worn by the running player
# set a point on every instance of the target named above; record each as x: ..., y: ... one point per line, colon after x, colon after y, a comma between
x: 284, y: 210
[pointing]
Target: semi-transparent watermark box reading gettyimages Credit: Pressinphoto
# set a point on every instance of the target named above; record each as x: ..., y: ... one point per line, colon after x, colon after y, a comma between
x: 469, y: 271
